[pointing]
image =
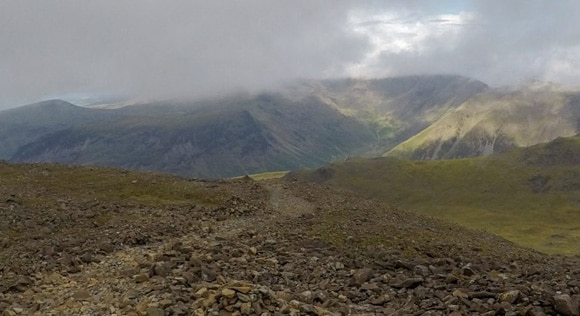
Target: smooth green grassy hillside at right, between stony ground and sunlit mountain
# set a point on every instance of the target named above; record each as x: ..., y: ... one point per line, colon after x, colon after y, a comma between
x: 530, y: 195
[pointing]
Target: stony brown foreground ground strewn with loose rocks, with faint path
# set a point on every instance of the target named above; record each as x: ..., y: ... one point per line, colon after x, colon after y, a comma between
x: 95, y: 241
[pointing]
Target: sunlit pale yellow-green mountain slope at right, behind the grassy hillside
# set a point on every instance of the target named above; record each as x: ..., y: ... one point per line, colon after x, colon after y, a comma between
x: 495, y: 121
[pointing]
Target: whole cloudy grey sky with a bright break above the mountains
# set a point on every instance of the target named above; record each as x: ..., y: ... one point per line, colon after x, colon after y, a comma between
x: 198, y: 48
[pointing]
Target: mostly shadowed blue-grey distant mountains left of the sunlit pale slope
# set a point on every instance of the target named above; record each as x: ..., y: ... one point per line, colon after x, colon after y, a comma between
x: 307, y: 125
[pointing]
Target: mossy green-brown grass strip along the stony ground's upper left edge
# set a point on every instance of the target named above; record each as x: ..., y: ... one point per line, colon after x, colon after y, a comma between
x: 37, y: 185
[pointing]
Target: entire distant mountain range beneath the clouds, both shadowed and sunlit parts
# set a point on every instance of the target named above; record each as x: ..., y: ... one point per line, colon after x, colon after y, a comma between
x: 307, y: 124
